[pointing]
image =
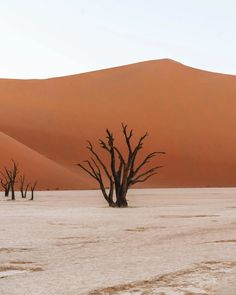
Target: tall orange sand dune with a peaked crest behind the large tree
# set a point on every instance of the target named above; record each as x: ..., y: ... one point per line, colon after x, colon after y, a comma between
x: 189, y: 113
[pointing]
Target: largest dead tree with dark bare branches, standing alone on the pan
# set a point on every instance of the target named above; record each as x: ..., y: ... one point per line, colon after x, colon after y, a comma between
x: 123, y: 172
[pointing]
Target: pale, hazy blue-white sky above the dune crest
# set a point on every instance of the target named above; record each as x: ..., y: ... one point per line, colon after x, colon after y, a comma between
x: 44, y: 38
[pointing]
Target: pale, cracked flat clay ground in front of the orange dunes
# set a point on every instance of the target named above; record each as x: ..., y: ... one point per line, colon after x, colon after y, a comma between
x: 172, y: 242
